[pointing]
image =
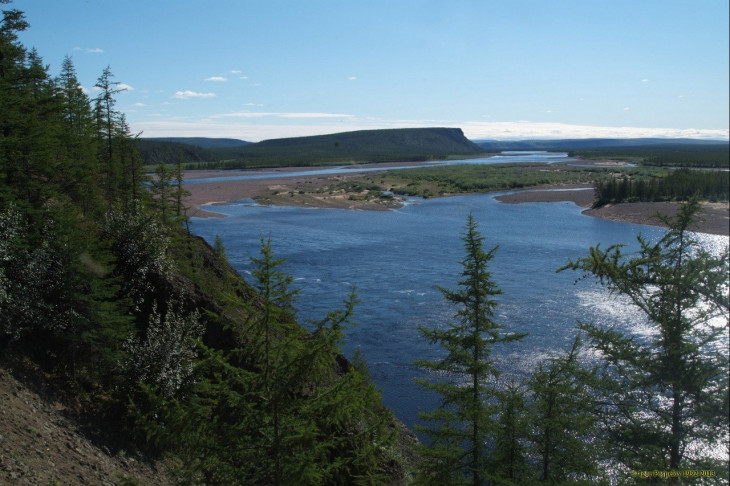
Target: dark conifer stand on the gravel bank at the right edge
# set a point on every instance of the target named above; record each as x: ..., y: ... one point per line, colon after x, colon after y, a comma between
x: 677, y: 185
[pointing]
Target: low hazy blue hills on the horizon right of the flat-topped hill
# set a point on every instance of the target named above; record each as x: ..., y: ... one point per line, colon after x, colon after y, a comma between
x: 576, y: 144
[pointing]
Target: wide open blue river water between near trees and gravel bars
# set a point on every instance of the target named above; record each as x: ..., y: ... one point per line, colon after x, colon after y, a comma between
x: 395, y: 259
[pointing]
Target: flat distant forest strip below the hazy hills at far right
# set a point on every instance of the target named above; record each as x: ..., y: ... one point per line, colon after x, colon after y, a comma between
x: 714, y: 155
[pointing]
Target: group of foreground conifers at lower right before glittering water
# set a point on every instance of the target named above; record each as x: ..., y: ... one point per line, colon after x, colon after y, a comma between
x: 615, y: 407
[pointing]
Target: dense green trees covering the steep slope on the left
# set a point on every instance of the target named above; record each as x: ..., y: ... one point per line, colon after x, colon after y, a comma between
x: 142, y: 326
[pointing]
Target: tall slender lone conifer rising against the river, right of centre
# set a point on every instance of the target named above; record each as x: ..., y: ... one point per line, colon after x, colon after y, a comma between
x: 464, y: 423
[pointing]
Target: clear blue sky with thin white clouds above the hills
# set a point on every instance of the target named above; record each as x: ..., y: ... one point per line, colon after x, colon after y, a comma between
x: 261, y: 69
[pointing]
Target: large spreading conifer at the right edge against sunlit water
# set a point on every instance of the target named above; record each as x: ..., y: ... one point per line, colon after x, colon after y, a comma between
x: 665, y: 394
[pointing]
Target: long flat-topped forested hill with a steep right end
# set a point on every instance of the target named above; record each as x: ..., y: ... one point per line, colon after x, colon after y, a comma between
x: 358, y: 146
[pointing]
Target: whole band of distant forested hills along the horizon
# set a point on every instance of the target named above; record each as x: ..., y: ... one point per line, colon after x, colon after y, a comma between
x: 405, y: 144
